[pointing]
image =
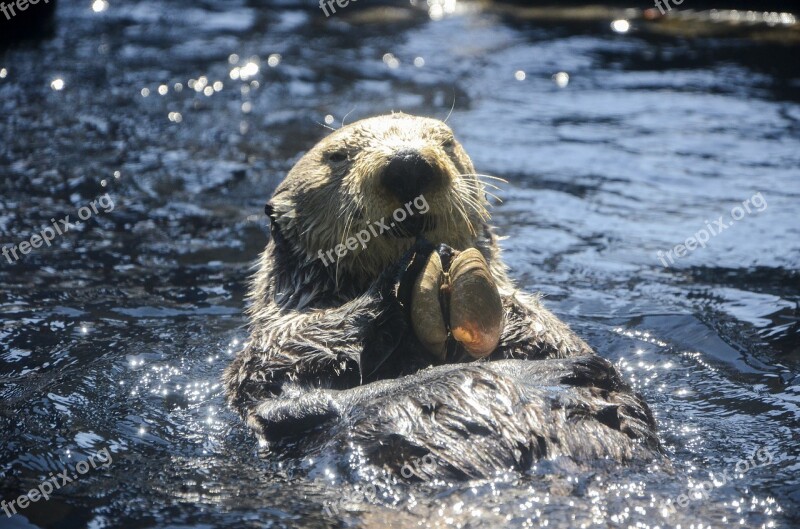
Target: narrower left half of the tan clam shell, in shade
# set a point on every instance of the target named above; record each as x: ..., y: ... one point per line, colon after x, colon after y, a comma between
x: 426, y: 310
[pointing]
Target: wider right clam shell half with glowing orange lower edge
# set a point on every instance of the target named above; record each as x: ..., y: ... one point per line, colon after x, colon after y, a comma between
x: 476, y: 311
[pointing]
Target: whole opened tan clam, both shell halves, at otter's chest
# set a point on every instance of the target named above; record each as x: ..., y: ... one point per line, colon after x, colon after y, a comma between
x: 455, y: 297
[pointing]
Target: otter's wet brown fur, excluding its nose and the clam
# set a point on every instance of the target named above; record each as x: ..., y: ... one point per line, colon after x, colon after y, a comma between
x: 314, y: 328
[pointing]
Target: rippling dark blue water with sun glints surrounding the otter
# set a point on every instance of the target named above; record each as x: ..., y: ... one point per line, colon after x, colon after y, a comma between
x: 113, y: 339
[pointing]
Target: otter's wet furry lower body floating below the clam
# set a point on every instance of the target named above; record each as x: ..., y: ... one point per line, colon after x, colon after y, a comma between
x: 471, y: 420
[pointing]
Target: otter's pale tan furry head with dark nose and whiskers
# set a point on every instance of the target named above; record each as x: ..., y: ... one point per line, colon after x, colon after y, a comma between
x: 380, y: 183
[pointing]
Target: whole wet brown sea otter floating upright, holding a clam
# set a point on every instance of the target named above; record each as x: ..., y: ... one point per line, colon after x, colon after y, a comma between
x: 402, y: 335
